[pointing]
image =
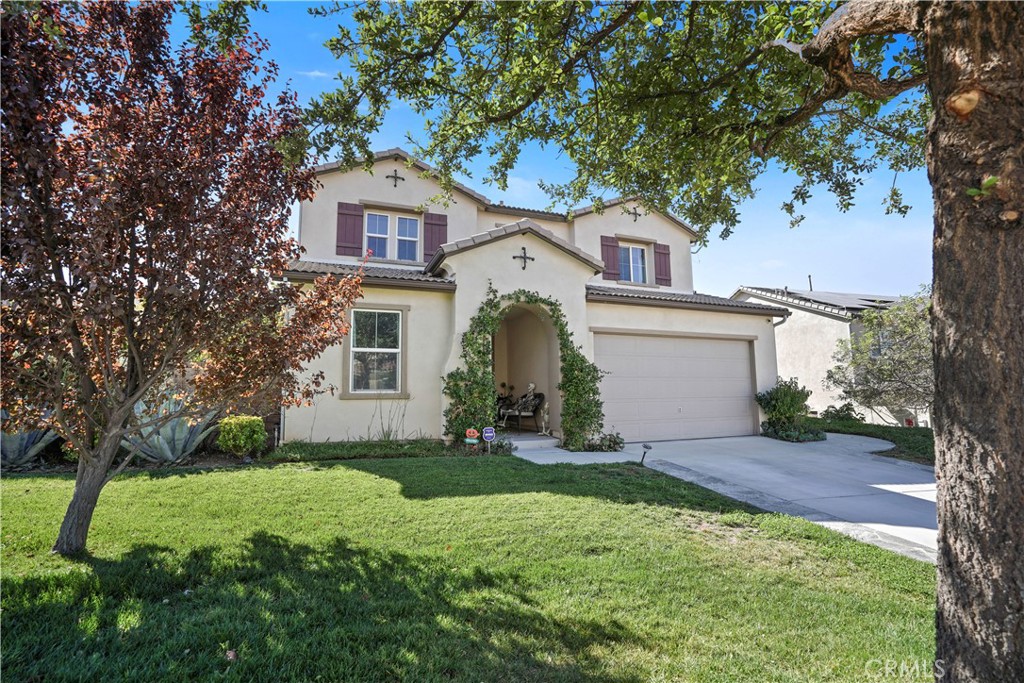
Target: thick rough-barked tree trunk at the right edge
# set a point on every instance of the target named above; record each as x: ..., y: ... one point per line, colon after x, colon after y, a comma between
x: 976, y: 51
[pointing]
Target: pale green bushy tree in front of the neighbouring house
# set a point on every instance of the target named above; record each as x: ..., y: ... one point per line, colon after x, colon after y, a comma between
x: 888, y: 361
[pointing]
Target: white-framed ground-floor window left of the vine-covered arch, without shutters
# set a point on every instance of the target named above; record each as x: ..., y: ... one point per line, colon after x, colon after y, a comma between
x: 376, y: 352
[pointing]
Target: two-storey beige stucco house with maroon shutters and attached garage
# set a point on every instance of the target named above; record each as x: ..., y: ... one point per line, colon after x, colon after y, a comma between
x: 680, y: 365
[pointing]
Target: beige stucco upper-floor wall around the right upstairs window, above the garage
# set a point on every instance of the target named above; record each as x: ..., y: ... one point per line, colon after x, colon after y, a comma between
x: 653, y: 228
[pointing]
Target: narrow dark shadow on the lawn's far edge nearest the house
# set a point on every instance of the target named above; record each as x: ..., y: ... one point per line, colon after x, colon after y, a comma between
x: 621, y: 483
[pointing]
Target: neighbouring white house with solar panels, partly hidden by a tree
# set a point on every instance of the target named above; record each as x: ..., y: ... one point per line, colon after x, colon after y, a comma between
x: 806, y: 339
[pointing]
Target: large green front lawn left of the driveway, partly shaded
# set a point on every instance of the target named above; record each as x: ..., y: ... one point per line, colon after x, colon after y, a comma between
x: 441, y: 570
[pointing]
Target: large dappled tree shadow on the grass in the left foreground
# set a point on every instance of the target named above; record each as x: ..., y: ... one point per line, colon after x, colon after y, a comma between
x: 279, y: 611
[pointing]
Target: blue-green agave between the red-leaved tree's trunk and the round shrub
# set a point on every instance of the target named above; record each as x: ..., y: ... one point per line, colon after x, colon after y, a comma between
x: 172, y: 440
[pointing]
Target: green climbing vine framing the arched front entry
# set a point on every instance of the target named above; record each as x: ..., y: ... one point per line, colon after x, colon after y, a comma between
x: 472, y: 390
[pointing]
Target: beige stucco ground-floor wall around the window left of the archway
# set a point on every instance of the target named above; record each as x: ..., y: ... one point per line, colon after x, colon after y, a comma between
x: 429, y: 340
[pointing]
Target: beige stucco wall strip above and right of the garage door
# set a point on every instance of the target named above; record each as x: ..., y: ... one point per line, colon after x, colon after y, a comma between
x: 700, y: 323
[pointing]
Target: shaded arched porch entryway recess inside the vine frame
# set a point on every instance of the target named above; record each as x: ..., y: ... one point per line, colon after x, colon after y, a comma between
x: 526, y: 350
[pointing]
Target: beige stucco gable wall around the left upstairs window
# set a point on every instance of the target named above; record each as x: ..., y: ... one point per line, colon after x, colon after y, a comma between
x: 319, y: 220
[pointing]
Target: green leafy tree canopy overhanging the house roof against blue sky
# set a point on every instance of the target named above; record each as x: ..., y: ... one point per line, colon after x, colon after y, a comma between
x: 618, y: 87
